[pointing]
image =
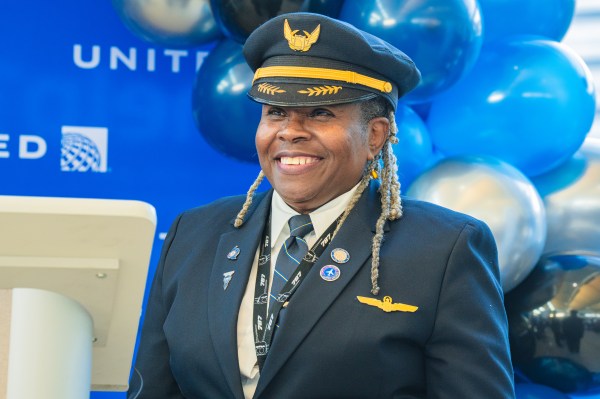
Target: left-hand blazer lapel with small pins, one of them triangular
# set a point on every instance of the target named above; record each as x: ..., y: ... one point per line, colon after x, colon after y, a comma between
x: 224, y: 302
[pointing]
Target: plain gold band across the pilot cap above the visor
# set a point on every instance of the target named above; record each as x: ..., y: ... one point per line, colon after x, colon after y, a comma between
x: 322, y: 73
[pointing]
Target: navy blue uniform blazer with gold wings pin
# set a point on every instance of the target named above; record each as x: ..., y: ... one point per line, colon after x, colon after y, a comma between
x: 331, y: 345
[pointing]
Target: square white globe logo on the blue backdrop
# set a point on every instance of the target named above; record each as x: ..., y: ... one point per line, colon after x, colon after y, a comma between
x: 83, y: 149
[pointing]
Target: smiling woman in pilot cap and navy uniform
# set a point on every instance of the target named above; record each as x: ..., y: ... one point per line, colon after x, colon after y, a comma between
x: 314, y: 244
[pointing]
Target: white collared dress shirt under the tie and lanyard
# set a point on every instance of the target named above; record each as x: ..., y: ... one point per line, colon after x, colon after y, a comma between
x: 280, y: 213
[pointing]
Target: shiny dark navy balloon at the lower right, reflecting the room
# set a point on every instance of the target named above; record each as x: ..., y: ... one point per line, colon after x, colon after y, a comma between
x: 554, y: 324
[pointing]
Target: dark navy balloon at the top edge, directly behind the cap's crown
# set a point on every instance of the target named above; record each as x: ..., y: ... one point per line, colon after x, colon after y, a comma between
x: 238, y: 18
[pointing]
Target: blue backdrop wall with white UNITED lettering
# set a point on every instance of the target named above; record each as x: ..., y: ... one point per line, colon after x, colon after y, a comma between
x: 67, y: 76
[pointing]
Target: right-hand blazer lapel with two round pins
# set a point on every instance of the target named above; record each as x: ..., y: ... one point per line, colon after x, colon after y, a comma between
x: 314, y: 296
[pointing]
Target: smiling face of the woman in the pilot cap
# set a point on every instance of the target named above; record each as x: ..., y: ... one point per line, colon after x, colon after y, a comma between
x: 314, y: 154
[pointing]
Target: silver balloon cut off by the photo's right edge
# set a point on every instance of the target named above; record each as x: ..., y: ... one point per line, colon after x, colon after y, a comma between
x: 571, y: 194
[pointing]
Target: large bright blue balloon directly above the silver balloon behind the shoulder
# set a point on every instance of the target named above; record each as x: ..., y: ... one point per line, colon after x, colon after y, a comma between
x: 529, y: 102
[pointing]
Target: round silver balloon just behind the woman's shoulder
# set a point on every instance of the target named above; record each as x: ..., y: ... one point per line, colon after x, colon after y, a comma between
x: 498, y: 194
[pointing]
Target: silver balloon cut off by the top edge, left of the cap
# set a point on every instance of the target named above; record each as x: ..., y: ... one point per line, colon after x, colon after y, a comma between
x: 179, y: 23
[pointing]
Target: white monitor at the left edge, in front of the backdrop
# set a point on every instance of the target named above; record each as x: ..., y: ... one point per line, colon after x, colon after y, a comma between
x: 94, y: 251
